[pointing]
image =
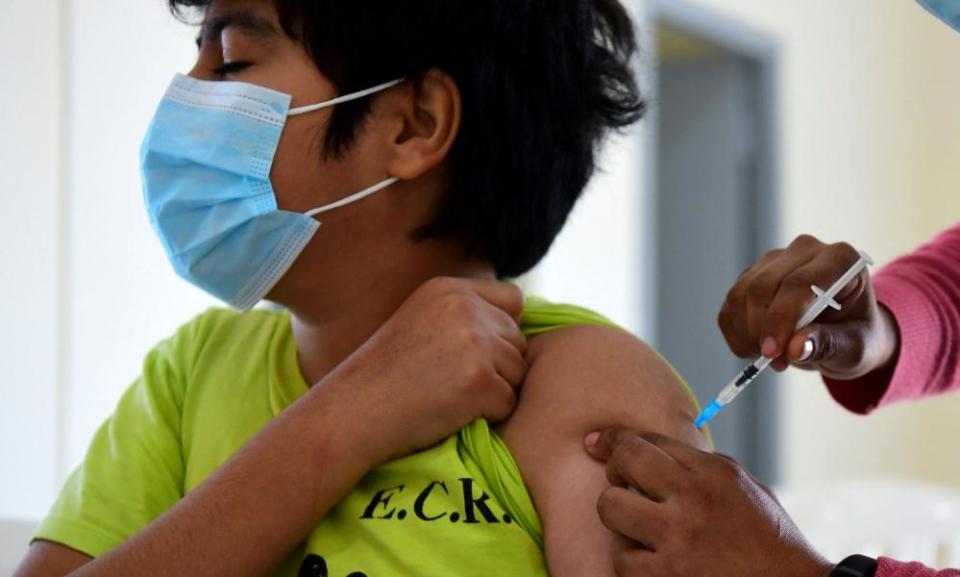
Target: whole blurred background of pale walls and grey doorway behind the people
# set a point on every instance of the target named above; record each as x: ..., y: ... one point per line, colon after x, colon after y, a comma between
x: 768, y: 120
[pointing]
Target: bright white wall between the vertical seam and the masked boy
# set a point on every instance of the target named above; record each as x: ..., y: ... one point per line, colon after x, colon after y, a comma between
x: 124, y: 296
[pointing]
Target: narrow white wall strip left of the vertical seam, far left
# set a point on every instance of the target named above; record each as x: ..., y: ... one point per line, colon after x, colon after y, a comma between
x: 29, y: 257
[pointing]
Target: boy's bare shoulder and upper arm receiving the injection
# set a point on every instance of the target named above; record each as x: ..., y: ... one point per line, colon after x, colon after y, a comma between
x: 584, y: 379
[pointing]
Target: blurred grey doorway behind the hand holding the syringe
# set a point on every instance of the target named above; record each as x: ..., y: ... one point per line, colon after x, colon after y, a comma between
x: 716, y: 205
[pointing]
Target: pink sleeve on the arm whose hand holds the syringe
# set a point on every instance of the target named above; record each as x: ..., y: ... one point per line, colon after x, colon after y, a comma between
x: 922, y: 290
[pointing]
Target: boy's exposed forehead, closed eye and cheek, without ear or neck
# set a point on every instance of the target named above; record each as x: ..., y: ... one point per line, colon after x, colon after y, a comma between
x: 242, y: 40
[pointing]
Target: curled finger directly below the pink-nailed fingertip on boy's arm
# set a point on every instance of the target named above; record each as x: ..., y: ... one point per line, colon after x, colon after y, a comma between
x: 637, y: 463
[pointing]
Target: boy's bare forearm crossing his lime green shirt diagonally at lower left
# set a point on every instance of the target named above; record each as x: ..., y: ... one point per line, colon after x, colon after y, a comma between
x: 252, y: 513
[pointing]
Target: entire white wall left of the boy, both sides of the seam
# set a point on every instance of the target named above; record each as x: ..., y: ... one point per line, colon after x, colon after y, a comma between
x: 86, y: 288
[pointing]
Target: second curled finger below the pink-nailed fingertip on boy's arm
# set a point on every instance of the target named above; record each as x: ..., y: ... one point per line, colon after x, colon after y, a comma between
x: 633, y: 516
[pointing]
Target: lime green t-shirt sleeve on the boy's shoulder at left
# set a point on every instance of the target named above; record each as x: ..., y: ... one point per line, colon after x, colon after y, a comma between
x: 134, y: 468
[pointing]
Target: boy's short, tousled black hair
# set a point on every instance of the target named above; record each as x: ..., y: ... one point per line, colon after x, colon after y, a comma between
x: 542, y: 82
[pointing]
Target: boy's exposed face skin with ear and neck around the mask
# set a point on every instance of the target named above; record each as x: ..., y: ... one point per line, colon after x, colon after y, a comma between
x: 242, y: 40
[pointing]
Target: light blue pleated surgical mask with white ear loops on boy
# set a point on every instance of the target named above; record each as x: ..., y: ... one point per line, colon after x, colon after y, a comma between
x: 205, y: 164
